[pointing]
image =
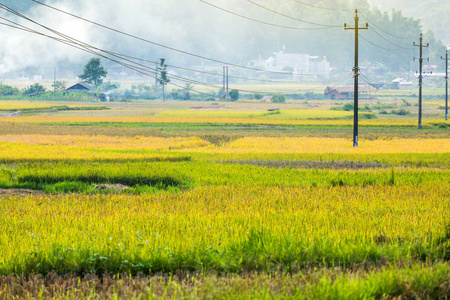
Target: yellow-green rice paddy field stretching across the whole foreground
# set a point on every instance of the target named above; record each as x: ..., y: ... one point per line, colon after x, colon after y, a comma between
x: 247, y: 200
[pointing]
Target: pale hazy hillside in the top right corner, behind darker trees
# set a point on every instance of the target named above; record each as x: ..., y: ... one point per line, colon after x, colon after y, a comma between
x: 433, y: 14
